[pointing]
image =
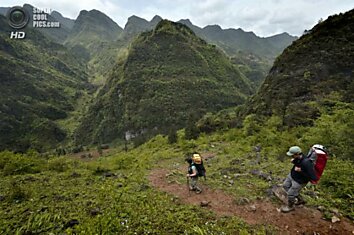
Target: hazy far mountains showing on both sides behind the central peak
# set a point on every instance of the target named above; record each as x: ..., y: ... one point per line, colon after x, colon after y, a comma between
x: 93, y: 34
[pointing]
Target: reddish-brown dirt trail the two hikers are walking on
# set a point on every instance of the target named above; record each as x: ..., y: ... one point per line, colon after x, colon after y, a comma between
x: 301, y: 221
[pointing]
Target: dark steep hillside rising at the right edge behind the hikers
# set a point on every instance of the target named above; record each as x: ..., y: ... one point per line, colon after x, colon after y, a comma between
x: 316, y: 67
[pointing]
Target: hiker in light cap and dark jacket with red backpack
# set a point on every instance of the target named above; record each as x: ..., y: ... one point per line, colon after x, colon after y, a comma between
x: 305, y: 169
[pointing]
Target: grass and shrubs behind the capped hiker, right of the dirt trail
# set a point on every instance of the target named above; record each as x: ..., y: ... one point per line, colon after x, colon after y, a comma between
x: 231, y: 169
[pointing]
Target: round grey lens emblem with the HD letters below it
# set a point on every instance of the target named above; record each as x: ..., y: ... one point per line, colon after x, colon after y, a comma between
x: 17, y: 18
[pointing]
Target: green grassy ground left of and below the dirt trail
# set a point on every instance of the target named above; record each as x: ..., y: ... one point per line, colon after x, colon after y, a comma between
x: 116, y: 198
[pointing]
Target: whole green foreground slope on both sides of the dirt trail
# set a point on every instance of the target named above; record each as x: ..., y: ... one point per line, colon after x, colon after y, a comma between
x: 66, y: 189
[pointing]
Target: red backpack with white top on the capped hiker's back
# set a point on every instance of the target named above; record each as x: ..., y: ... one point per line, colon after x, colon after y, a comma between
x: 319, y: 156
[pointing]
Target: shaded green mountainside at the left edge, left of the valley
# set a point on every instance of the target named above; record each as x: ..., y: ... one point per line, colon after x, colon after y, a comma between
x: 40, y: 84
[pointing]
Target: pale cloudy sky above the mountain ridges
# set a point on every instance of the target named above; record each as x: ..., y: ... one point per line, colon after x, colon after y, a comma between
x: 263, y: 17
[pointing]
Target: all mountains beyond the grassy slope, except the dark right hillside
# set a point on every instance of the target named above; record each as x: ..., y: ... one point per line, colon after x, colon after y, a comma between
x: 150, y: 76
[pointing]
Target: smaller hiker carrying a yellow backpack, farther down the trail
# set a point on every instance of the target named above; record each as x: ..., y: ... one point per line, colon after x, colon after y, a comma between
x: 195, y: 170
